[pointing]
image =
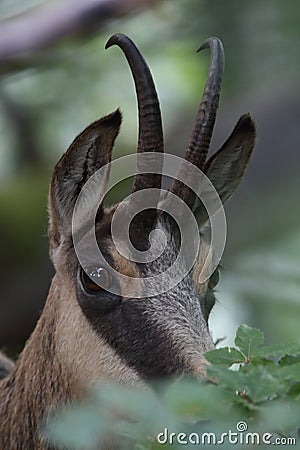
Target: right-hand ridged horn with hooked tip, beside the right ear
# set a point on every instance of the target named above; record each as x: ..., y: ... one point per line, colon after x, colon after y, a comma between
x: 197, y: 149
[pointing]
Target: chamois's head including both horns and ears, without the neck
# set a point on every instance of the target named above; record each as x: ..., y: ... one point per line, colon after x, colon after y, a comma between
x: 104, y: 328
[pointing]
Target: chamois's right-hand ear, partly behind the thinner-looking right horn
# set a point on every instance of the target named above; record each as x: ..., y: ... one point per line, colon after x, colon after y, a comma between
x: 226, y: 167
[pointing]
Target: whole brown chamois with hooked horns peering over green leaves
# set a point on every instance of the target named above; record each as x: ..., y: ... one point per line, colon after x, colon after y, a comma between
x: 86, y: 332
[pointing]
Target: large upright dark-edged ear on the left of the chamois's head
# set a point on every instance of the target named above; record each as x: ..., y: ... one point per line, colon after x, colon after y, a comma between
x: 89, y: 151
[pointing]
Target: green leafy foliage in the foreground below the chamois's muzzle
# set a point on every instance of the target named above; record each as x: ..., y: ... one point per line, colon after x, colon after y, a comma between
x: 252, y: 396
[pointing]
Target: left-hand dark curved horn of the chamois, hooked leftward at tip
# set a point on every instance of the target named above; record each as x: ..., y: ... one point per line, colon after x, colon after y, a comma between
x: 150, y: 124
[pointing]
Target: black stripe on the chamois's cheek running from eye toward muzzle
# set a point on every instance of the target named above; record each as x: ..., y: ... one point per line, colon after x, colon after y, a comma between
x: 136, y: 340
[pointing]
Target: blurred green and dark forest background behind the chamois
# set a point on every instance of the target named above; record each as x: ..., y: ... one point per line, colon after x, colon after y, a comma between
x: 56, y: 77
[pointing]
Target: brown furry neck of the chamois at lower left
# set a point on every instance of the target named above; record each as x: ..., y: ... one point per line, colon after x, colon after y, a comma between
x: 35, y: 386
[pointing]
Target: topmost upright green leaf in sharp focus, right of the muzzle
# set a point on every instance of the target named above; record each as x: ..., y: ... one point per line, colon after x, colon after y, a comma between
x: 248, y: 340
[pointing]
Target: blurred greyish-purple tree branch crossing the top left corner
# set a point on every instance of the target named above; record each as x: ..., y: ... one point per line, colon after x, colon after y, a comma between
x: 24, y: 35
